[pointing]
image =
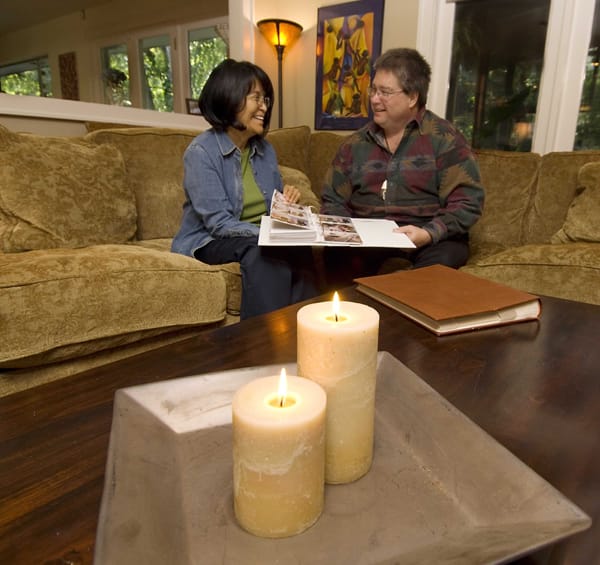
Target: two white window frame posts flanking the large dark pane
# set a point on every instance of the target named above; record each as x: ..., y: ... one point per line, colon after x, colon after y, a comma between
x: 567, y: 42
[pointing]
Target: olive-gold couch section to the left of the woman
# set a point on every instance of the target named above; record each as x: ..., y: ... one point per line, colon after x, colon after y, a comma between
x: 85, y: 233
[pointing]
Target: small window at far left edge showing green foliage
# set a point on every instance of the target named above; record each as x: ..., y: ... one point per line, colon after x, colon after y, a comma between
x: 30, y: 77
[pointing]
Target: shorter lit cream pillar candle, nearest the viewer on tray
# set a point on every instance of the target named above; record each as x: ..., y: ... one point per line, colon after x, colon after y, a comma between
x: 278, y: 455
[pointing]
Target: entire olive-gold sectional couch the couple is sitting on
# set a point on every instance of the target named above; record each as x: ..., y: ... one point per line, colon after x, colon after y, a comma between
x: 86, y: 225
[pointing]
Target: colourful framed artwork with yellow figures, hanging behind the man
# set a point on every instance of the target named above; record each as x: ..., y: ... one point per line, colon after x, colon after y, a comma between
x: 348, y: 42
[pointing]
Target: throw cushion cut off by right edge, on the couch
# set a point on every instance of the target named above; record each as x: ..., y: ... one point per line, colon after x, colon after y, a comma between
x: 583, y: 216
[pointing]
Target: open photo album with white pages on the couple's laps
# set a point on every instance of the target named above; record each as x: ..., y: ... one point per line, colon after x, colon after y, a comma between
x: 295, y: 224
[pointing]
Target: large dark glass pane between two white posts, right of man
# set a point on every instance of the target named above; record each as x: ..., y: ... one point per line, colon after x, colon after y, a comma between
x: 495, y: 71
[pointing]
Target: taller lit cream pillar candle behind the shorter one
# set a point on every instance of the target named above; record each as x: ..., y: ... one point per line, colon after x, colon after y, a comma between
x: 337, y: 348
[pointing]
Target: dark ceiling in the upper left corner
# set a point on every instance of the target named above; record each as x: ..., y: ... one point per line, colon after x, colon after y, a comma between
x: 16, y: 14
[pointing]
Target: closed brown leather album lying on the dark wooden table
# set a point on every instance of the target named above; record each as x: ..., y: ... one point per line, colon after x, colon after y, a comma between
x: 447, y: 300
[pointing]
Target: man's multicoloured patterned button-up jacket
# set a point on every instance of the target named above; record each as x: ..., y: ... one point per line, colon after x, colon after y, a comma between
x: 432, y: 180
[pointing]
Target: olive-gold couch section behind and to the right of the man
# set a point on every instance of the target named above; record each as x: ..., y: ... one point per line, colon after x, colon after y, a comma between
x: 540, y: 228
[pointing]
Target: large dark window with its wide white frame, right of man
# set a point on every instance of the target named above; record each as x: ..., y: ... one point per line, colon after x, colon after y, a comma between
x: 515, y: 83
